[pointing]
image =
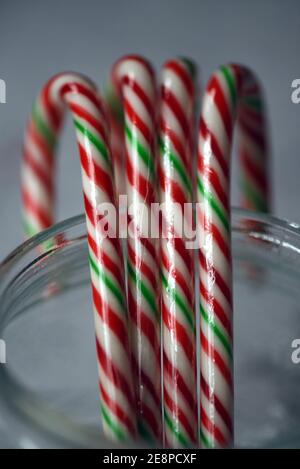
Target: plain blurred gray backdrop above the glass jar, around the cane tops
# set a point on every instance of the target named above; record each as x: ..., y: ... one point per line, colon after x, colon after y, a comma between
x: 40, y: 38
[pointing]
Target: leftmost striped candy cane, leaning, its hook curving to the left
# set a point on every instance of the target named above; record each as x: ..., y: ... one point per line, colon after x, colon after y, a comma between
x: 80, y: 96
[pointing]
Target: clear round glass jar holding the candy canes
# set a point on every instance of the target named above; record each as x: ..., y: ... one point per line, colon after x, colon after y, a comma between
x: 48, y: 387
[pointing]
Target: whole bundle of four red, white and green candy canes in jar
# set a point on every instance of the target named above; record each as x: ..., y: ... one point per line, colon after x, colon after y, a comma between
x: 146, y: 125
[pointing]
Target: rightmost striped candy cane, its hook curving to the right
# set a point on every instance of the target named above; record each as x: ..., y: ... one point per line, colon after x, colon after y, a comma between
x: 233, y: 93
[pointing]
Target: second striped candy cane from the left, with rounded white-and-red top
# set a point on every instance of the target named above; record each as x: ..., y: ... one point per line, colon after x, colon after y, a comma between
x: 134, y: 82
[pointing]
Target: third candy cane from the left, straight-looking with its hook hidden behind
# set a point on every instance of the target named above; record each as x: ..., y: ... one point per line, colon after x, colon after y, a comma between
x: 177, y: 260
